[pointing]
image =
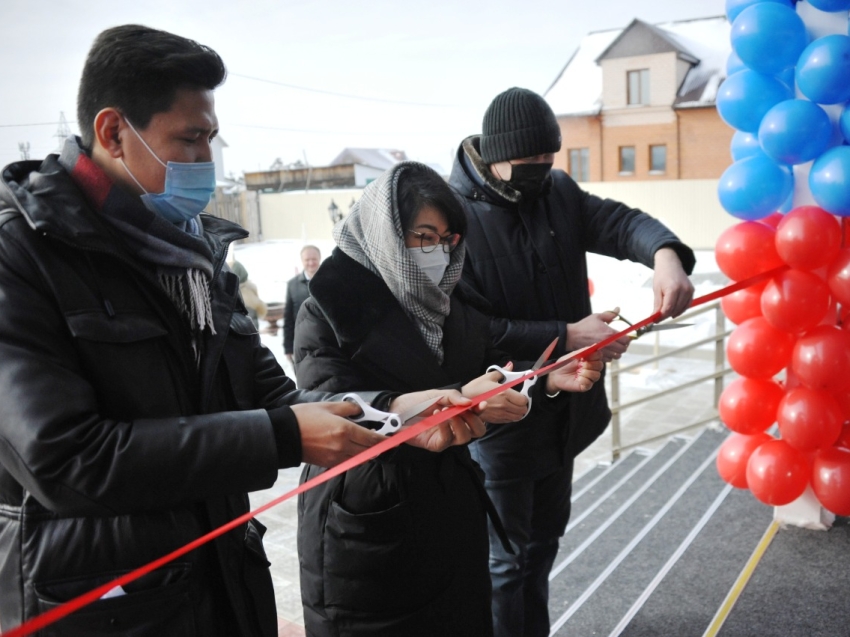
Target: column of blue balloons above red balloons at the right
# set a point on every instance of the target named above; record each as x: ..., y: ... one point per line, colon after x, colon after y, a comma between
x: 787, y: 95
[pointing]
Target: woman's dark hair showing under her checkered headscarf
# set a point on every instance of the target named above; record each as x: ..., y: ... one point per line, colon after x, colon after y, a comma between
x: 420, y: 186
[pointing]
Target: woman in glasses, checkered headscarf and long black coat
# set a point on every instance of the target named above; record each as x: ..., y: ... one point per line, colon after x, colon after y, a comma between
x: 399, y: 546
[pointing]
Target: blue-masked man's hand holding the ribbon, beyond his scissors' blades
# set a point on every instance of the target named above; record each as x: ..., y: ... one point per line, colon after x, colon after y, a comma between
x: 455, y: 431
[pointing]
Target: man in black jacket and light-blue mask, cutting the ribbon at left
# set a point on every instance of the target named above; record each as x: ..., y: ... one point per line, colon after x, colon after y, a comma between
x: 137, y: 404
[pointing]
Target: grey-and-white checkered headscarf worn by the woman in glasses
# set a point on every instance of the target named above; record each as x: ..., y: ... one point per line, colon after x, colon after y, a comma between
x: 373, y: 236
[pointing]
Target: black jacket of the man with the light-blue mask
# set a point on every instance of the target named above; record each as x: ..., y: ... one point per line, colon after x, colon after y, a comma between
x: 114, y: 449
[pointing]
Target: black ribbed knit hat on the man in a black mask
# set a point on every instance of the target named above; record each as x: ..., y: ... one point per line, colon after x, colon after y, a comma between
x: 518, y: 123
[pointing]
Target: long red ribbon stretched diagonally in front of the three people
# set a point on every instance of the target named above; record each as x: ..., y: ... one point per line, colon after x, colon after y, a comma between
x: 55, y: 614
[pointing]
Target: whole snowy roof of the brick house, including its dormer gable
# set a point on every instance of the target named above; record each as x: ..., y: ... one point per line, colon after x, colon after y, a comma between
x: 704, y: 42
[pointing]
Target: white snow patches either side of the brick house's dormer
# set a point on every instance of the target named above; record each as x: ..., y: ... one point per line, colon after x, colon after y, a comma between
x: 578, y: 89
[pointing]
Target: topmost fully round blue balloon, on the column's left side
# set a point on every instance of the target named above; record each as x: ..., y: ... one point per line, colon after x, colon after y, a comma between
x: 769, y: 37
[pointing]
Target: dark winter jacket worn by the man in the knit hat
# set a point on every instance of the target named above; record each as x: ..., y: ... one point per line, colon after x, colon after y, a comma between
x: 528, y: 261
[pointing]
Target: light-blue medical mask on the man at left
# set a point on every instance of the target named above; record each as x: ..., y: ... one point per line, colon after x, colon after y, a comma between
x: 188, y: 187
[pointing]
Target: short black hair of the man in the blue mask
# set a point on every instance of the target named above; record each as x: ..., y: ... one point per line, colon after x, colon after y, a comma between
x: 138, y: 70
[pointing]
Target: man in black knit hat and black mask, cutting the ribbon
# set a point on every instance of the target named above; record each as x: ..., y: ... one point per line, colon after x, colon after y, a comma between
x: 529, y: 230
